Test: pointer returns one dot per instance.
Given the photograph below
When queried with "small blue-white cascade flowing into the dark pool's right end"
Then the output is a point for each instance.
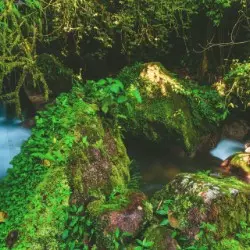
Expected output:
(226, 148)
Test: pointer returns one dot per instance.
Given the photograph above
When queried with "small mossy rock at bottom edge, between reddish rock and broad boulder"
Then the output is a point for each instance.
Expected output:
(162, 238)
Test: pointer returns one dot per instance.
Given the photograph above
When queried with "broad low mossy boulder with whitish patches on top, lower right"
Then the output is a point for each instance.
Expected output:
(199, 198)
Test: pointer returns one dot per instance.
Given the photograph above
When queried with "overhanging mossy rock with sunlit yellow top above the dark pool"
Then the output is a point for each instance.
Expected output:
(171, 107)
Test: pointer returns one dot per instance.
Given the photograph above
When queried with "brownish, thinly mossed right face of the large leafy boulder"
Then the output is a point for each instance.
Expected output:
(100, 167)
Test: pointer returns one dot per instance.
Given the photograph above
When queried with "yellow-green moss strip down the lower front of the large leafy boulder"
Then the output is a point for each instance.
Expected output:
(45, 224)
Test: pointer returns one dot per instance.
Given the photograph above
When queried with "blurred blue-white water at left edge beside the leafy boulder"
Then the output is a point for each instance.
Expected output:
(12, 135)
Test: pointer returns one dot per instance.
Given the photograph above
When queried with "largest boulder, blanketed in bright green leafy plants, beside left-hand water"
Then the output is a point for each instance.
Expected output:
(71, 156)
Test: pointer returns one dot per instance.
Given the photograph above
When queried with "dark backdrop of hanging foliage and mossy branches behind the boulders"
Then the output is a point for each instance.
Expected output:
(200, 37)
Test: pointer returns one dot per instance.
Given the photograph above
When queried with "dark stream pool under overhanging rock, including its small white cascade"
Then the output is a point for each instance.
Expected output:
(160, 163)
